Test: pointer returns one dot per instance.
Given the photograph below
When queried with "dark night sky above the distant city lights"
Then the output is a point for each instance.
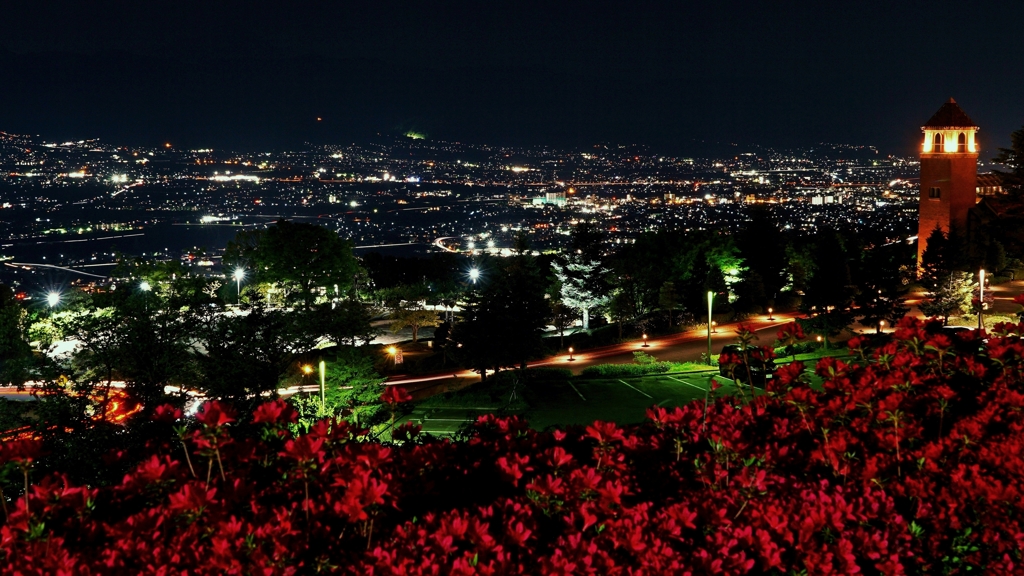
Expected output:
(257, 75)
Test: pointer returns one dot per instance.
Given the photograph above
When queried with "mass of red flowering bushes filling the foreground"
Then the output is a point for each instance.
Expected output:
(908, 462)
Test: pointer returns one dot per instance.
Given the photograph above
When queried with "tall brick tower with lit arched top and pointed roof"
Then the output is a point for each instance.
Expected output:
(949, 174)
